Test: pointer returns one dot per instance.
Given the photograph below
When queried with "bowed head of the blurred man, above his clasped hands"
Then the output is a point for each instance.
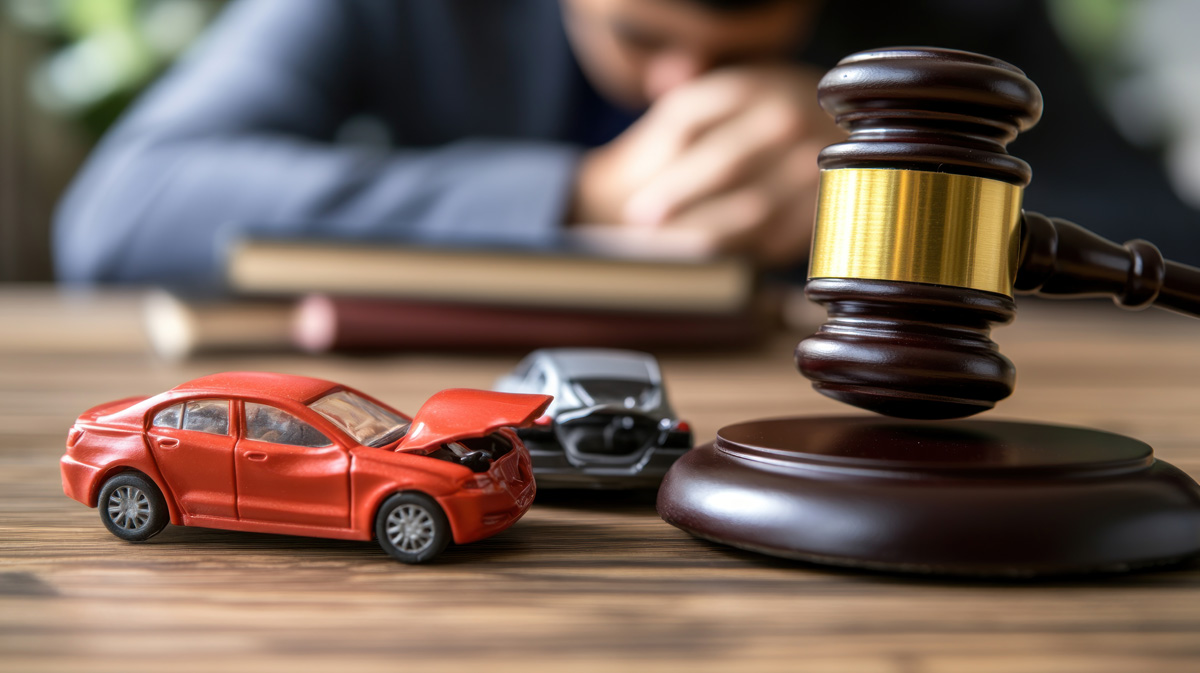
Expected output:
(635, 51)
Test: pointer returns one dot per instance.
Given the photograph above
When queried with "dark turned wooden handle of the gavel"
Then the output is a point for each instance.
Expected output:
(1061, 259)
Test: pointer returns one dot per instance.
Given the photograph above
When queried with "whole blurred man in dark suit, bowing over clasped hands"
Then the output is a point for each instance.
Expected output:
(503, 122)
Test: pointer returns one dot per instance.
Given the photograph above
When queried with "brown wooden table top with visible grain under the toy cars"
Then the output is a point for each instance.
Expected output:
(584, 582)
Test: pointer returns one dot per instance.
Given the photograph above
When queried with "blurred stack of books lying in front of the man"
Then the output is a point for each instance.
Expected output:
(335, 296)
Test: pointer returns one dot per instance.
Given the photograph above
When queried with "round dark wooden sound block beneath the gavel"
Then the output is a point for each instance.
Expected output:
(983, 498)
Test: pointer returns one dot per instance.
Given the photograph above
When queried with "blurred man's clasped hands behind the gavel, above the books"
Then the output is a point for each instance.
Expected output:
(731, 155)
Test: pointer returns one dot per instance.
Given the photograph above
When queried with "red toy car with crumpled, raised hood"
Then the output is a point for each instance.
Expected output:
(302, 456)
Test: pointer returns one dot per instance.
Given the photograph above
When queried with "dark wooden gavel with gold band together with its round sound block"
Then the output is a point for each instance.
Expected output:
(920, 245)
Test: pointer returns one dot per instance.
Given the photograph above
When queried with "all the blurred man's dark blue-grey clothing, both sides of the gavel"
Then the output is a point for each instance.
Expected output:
(487, 115)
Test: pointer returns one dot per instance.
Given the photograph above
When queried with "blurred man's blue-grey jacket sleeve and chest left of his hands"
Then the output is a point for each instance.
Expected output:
(243, 137)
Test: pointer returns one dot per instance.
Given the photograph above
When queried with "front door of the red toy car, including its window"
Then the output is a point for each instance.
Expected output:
(289, 472)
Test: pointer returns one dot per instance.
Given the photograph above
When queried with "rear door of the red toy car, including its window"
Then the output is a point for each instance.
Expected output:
(194, 446)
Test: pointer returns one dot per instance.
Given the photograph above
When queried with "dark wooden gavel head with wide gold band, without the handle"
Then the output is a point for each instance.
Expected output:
(919, 231)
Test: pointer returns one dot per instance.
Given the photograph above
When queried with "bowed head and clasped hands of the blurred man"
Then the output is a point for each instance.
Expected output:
(729, 145)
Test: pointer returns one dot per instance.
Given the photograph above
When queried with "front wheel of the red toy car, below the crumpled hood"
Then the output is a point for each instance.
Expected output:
(412, 528)
